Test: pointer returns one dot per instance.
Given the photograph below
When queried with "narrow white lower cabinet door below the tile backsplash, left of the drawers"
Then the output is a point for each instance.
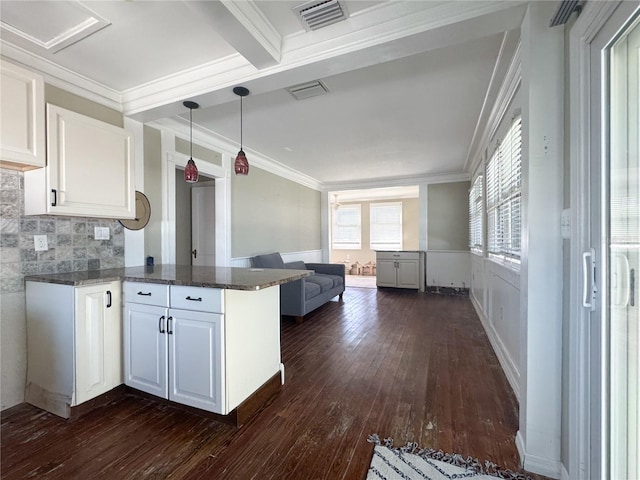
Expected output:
(98, 340)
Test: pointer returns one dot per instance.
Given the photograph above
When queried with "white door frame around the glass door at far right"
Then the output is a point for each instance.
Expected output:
(593, 19)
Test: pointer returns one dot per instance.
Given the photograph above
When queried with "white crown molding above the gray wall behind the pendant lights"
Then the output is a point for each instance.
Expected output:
(224, 145)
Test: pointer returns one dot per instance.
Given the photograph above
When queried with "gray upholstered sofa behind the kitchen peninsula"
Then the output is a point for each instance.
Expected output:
(299, 297)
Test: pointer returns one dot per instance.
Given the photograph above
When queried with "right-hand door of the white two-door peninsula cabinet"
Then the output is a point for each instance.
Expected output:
(196, 359)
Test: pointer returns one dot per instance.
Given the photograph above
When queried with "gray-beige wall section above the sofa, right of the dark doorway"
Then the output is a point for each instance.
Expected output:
(270, 213)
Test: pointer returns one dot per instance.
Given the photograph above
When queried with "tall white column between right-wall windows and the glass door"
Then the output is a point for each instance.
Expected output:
(538, 438)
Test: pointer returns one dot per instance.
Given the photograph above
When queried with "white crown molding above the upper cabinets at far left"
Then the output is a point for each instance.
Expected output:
(62, 77)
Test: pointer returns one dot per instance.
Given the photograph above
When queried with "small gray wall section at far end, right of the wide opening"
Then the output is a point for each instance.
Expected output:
(448, 216)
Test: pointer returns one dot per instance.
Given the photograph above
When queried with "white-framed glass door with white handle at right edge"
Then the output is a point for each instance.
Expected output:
(613, 261)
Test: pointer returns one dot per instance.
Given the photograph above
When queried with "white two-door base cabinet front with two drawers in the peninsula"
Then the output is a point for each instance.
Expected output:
(175, 354)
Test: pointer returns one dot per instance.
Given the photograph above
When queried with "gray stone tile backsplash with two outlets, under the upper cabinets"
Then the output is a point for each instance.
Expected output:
(72, 246)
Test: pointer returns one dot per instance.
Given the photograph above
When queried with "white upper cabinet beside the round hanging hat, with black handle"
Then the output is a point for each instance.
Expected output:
(89, 171)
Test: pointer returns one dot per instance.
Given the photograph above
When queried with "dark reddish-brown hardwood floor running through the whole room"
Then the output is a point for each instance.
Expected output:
(402, 364)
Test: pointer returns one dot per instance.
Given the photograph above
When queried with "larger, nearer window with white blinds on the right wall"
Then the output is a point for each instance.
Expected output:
(504, 192)
